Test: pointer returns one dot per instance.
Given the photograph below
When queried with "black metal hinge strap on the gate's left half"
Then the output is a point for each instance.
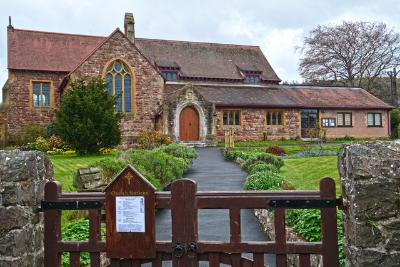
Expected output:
(70, 205)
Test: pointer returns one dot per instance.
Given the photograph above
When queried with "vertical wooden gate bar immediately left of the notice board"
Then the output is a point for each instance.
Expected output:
(94, 235)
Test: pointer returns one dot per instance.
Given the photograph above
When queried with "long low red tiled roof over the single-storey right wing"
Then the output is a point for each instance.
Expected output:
(282, 96)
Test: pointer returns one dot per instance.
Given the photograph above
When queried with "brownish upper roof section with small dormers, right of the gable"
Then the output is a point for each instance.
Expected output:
(208, 60)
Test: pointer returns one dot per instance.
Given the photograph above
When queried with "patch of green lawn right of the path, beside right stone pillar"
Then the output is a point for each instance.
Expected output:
(305, 173)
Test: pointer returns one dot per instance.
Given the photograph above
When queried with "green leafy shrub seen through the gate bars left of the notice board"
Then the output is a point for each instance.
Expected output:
(79, 231)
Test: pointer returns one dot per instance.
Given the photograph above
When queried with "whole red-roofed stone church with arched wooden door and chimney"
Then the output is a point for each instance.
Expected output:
(193, 91)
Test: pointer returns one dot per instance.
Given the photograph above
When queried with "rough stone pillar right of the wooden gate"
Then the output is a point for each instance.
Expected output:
(370, 183)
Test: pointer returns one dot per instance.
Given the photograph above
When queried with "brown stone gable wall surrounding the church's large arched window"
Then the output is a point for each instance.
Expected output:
(149, 86)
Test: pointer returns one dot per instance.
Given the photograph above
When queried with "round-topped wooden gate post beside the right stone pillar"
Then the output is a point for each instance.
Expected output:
(330, 249)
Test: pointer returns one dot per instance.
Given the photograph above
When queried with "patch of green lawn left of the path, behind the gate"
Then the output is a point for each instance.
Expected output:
(65, 167)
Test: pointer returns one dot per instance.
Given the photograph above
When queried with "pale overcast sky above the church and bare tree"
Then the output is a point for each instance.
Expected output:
(277, 26)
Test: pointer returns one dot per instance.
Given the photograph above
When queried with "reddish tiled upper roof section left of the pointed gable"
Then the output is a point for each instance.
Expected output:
(48, 51)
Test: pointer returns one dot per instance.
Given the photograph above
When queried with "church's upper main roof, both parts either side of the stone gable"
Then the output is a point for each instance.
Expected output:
(49, 51)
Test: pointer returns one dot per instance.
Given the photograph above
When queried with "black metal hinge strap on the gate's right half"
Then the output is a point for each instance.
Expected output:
(304, 203)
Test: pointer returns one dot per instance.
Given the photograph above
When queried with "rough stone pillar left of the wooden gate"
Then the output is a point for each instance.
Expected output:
(23, 175)
